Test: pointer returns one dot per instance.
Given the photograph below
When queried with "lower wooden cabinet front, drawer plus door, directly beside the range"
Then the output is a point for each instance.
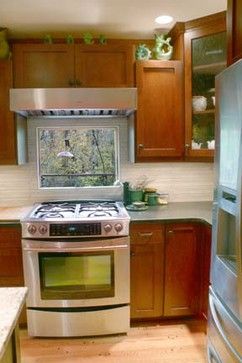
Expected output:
(147, 260)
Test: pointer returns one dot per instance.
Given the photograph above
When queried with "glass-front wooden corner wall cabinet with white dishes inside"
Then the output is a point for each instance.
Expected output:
(205, 57)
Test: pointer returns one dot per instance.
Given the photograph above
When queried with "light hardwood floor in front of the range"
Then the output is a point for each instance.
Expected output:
(180, 342)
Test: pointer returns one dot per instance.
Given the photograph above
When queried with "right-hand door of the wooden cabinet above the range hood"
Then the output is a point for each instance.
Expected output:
(104, 65)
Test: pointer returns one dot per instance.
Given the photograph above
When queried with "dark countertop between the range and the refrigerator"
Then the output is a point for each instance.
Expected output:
(197, 211)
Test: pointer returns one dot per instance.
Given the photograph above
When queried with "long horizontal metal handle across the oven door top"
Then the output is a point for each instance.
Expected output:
(76, 249)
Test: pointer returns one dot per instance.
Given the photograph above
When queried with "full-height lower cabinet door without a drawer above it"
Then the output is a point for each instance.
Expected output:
(182, 270)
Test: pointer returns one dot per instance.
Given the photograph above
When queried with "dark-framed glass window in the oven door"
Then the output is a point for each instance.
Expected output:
(88, 275)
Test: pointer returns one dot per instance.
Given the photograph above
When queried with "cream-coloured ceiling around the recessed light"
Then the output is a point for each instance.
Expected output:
(113, 18)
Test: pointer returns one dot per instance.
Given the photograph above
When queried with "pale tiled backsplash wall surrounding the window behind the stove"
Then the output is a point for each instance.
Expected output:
(183, 181)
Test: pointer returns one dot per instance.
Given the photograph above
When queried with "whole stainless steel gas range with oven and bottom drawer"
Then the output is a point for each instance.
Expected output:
(76, 266)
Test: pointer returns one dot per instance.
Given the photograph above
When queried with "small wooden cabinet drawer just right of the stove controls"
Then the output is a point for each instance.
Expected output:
(146, 233)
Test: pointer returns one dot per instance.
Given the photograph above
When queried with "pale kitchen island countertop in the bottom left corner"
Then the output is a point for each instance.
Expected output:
(11, 302)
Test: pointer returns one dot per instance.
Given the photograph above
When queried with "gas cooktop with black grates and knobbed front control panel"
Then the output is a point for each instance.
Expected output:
(76, 219)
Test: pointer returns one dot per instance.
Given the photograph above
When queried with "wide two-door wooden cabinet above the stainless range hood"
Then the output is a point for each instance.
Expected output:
(72, 65)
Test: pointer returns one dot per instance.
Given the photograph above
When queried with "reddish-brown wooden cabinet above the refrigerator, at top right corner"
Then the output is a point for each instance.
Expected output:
(234, 30)
